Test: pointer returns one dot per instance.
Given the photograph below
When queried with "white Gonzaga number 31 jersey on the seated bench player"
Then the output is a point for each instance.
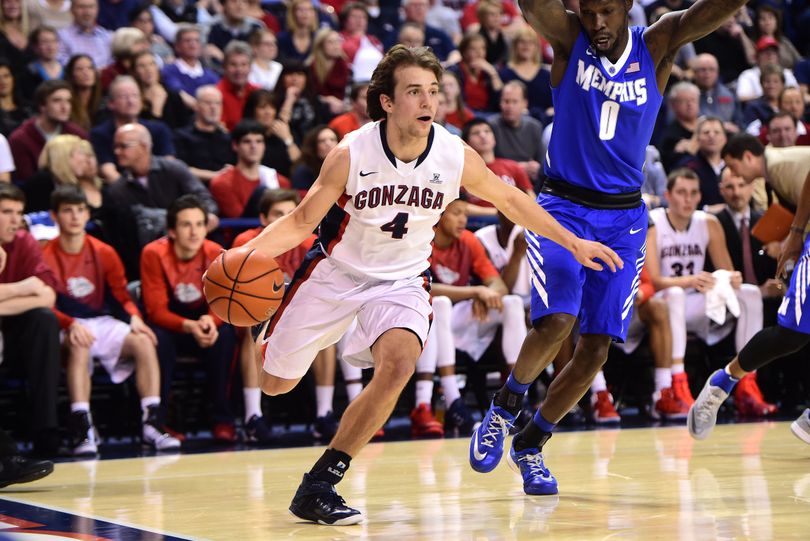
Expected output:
(681, 253)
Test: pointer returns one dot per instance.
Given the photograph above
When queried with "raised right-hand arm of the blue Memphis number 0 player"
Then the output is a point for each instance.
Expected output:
(678, 28)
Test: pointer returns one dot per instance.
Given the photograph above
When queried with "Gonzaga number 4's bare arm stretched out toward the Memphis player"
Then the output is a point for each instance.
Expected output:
(521, 209)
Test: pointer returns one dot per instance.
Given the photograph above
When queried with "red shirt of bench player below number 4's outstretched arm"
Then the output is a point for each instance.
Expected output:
(457, 264)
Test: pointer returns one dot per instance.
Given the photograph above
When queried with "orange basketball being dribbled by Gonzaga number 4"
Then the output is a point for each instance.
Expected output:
(243, 286)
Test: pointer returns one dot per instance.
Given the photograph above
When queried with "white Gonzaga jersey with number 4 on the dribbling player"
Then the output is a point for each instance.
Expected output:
(382, 225)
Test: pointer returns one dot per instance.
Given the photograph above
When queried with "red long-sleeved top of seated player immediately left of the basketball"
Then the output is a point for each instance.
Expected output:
(170, 284)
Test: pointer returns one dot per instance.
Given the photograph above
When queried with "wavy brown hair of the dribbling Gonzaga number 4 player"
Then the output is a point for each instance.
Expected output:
(383, 81)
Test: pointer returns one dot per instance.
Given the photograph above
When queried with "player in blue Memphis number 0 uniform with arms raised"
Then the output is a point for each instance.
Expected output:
(607, 80)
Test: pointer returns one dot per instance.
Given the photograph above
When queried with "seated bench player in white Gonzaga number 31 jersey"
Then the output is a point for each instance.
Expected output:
(678, 241)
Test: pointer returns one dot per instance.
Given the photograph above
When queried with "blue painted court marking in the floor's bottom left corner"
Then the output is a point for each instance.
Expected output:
(23, 521)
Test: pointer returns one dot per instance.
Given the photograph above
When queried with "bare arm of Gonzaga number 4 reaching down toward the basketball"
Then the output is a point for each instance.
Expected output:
(288, 232)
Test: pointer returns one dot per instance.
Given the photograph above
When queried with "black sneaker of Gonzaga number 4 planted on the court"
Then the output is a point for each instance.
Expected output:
(318, 502)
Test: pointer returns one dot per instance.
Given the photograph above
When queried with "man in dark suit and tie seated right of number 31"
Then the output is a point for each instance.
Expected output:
(756, 262)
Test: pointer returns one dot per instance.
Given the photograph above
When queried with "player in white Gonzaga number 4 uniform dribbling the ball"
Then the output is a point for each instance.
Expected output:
(379, 193)
